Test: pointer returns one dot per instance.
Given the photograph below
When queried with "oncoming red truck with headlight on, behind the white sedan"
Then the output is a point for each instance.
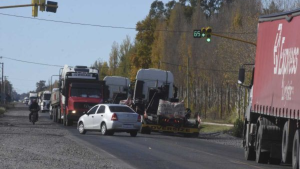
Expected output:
(79, 90)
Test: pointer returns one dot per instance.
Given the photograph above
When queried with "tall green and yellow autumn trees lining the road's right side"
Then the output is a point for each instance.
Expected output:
(164, 40)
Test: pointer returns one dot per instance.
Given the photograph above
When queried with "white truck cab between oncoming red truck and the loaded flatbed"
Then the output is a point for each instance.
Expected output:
(117, 88)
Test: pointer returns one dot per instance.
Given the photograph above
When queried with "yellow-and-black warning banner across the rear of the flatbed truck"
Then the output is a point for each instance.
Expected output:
(171, 129)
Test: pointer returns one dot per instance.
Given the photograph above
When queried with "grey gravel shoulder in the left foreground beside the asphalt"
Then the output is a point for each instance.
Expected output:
(46, 145)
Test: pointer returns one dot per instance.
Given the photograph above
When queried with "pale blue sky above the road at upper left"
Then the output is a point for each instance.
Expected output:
(59, 44)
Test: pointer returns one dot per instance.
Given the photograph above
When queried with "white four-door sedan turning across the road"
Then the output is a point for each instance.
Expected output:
(110, 118)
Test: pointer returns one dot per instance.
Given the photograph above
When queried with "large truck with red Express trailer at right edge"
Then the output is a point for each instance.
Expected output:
(271, 130)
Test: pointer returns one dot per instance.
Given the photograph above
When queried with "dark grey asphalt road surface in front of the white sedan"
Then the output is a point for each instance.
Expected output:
(167, 151)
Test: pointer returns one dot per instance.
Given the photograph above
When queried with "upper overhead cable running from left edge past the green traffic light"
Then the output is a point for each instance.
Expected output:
(109, 26)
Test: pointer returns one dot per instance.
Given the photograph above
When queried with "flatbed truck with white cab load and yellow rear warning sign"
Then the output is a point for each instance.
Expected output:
(153, 98)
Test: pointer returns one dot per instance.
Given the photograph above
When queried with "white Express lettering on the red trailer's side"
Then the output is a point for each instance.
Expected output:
(285, 63)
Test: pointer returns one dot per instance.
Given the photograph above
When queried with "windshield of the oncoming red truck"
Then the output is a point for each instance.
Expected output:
(79, 92)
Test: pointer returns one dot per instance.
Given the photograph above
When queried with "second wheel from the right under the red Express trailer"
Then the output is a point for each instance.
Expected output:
(287, 142)
